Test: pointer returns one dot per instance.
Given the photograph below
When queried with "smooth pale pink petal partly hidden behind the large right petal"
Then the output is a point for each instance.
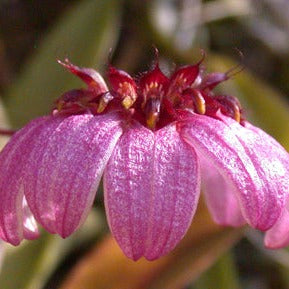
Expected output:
(221, 201)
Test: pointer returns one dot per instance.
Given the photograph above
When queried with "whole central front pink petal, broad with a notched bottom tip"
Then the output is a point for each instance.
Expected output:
(151, 191)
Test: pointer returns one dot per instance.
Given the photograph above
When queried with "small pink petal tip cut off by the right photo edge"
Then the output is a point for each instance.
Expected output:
(278, 236)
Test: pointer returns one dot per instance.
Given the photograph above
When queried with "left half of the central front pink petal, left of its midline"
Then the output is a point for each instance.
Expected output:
(127, 186)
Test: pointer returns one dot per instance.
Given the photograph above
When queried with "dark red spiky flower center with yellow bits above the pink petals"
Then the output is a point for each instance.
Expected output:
(154, 99)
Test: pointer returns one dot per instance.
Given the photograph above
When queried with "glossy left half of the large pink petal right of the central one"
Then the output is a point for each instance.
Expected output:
(216, 142)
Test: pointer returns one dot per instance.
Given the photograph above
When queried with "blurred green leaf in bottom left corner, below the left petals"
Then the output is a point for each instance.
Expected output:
(33, 262)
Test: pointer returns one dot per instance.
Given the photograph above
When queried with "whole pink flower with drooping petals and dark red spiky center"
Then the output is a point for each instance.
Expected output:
(153, 138)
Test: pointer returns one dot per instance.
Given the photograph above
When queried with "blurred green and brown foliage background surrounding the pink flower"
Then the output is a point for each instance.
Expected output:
(34, 34)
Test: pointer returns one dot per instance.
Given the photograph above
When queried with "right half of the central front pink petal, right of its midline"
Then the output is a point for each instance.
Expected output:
(175, 192)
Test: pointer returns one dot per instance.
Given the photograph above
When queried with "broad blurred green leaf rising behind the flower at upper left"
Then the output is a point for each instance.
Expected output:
(84, 34)
